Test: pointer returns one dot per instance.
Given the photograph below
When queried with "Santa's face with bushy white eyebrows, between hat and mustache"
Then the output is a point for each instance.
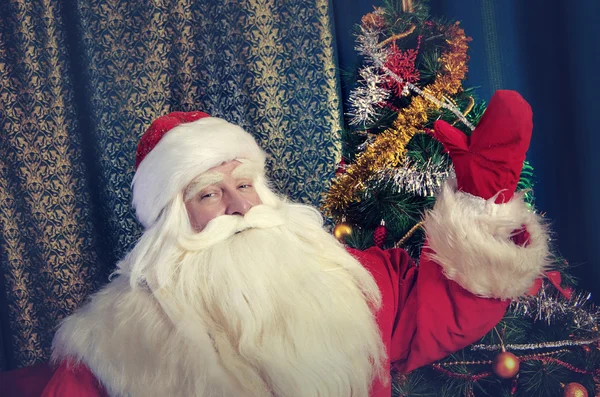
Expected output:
(226, 189)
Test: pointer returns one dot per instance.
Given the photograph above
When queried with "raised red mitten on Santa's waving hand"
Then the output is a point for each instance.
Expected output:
(490, 160)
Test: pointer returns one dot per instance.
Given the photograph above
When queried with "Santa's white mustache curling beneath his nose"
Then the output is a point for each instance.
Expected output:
(225, 226)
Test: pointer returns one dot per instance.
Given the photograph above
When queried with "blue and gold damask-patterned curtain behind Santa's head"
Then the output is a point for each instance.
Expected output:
(79, 84)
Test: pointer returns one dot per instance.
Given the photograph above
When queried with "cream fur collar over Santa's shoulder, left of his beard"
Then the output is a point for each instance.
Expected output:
(123, 336)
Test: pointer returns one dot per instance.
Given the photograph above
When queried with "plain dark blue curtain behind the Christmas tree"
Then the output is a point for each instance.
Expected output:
(549, 52)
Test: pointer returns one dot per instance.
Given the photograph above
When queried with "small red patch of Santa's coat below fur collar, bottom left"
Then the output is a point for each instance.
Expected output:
(73, 381)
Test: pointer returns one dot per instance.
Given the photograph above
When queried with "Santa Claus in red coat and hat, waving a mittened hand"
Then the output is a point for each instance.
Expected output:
(235, 291)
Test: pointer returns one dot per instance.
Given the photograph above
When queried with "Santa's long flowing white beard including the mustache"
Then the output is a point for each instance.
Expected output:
(288, 310)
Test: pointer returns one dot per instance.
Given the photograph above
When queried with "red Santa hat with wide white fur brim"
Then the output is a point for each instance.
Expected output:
(178, 147)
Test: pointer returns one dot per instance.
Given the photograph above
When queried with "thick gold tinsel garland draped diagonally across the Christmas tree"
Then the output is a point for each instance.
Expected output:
(389, 148)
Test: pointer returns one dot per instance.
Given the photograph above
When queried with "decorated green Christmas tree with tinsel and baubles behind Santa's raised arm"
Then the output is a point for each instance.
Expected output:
(411, 74)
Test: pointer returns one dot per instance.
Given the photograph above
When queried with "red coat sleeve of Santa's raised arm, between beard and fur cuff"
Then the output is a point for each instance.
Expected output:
(425, 316)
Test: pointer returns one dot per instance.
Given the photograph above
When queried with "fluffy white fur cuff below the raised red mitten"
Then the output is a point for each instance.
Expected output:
(471, 240)
